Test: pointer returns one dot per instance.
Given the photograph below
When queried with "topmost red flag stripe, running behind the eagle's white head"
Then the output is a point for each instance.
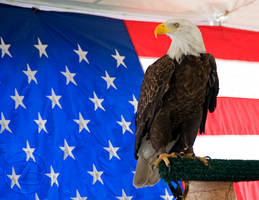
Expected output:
(222, 42)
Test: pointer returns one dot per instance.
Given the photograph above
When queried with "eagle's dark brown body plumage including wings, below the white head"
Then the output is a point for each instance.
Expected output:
(172, 100)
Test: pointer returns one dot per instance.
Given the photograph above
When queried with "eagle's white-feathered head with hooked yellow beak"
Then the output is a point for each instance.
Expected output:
(186, 38)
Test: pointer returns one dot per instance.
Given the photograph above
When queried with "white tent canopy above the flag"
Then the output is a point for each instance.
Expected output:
(241, 14)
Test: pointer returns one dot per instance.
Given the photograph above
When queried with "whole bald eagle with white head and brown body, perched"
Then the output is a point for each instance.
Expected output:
(176, 93)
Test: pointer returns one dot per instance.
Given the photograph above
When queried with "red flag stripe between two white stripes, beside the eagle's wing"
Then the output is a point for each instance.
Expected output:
(234, 116)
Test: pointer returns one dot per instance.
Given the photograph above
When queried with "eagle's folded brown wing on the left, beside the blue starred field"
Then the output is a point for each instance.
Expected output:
(155, 84)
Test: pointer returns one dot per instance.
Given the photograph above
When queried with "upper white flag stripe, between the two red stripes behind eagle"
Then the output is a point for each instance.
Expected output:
(237, 78)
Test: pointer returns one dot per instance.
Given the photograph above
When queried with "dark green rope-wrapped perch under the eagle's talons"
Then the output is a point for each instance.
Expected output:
(185, 169)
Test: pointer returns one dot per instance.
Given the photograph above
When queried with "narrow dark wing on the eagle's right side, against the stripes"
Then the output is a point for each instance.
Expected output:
(212, 91)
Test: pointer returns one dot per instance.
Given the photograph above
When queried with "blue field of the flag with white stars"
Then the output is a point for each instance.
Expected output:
(69, 85)
